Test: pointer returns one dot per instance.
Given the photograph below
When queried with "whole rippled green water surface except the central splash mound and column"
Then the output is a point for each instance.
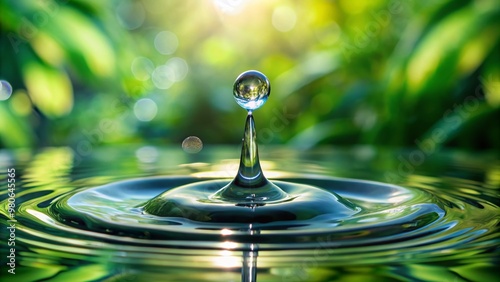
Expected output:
(441, 224)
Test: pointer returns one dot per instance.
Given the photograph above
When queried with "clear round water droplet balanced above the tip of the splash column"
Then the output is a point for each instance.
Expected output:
(251, 90)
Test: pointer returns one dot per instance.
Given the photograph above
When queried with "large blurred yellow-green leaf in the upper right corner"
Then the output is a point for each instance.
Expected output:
(453, 48)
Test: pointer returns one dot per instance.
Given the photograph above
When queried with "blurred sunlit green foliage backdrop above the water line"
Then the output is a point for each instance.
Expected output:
(383, 72)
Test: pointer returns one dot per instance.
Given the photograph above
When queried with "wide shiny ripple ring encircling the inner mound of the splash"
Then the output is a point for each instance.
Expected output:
(382, 215)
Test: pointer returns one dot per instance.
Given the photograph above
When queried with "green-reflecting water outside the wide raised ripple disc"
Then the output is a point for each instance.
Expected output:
(466, 183)
